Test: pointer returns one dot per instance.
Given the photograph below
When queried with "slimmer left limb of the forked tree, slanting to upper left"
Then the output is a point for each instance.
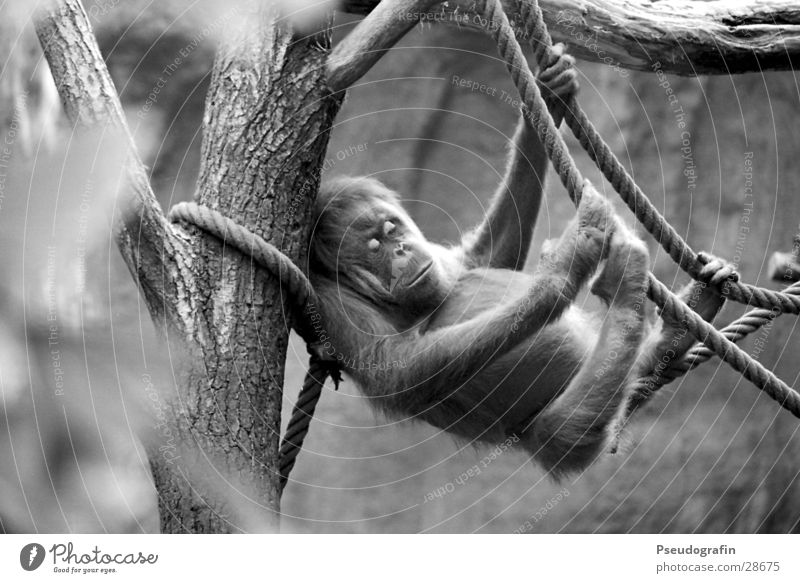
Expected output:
(91, 102)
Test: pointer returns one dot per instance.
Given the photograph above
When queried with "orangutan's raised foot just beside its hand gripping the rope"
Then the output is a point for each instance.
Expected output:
(623, 281)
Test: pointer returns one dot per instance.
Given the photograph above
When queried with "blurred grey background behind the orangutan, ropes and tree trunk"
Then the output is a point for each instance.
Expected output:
(80, 363)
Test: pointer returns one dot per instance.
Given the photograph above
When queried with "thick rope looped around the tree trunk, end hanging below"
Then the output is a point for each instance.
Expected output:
(301, 294)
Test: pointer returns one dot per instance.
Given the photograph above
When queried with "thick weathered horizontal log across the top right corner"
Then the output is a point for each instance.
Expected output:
(686, 37)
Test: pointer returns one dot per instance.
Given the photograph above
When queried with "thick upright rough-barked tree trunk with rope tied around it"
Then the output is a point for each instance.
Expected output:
(262, 170)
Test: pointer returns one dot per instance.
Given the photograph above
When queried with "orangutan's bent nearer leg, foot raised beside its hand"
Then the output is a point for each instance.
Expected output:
(570, 433)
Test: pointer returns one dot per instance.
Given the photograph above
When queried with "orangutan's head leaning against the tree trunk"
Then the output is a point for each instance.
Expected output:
(365, 239)
